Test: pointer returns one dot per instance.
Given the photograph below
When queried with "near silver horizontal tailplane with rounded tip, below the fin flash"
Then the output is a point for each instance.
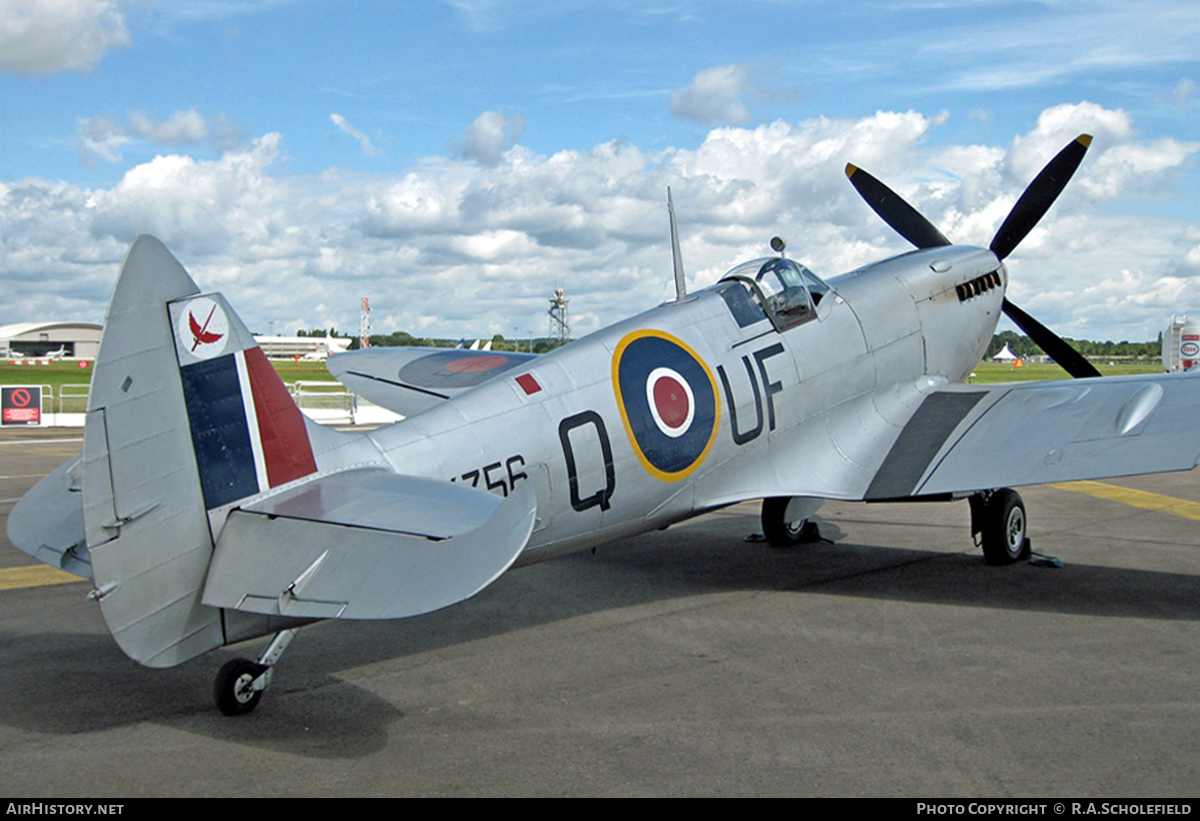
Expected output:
(367, 544)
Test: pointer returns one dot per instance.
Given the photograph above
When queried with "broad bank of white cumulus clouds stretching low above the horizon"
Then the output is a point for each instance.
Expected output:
(454, 247)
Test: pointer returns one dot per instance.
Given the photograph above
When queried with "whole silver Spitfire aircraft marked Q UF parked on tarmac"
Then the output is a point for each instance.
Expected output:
(208, 511)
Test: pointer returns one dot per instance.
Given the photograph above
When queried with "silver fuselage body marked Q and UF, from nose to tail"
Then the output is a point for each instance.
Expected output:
(673, 412)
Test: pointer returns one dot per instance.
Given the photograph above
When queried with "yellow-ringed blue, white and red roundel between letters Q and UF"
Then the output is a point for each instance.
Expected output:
(668, 400)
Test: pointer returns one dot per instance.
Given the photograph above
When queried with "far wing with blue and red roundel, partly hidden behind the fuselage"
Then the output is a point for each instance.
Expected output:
(409, 381)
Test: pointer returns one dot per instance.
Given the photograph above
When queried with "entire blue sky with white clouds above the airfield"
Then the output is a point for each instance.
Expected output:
(458, 161)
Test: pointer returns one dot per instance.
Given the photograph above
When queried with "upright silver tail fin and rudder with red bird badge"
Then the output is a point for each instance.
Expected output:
(185, 417)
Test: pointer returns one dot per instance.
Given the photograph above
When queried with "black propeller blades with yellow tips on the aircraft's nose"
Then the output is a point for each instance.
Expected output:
(1033, 206)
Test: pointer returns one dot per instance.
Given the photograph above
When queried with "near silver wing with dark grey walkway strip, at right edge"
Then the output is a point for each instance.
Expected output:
(965, 439)
